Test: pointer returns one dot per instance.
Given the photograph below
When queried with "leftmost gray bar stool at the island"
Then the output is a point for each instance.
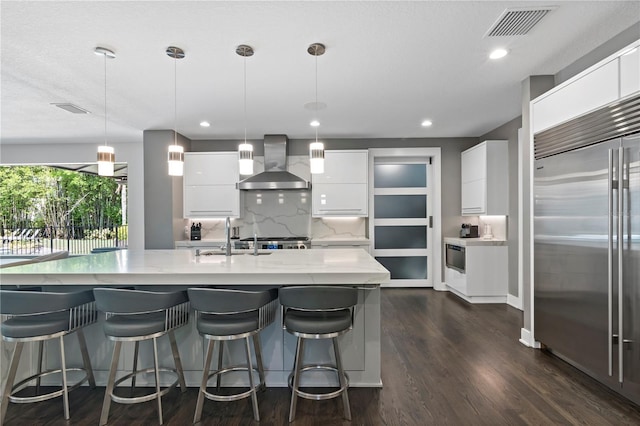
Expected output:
(35, 316)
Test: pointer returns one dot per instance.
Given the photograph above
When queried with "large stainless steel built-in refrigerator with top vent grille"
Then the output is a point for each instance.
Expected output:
(587, 244)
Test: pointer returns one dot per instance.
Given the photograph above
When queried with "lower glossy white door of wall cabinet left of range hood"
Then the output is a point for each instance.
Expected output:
(204, 201)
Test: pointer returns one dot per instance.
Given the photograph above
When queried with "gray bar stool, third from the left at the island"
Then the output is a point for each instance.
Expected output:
(222, 315)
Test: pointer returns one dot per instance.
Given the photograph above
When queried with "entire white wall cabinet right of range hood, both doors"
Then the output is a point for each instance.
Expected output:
(342, 189)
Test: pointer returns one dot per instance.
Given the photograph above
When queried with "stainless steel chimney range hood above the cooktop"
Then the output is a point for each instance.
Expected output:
(275, 175)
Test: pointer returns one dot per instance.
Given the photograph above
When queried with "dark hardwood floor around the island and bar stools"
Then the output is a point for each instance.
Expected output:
(444, 362)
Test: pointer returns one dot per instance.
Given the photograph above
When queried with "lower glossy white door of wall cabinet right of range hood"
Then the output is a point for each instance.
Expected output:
(346, 199)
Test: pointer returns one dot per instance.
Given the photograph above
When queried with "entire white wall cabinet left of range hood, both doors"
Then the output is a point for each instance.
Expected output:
(210, 185)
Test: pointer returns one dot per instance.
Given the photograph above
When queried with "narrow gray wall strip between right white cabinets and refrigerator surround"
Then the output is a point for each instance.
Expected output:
(509, 131)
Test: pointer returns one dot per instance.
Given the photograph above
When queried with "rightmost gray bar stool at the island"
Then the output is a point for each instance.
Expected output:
(318, 312)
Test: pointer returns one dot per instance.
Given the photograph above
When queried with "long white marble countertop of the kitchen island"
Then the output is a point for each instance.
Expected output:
(156, 267)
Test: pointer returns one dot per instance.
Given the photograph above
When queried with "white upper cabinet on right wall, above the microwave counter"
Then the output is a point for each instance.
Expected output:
(485, 179)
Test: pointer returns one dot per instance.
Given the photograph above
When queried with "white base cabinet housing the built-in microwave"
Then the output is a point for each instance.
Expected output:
(485, 279)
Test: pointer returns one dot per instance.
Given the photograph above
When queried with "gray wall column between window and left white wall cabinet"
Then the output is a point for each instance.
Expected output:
(162, 193)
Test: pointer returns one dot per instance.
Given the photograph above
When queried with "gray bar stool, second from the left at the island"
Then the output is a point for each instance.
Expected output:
(134, 316)
